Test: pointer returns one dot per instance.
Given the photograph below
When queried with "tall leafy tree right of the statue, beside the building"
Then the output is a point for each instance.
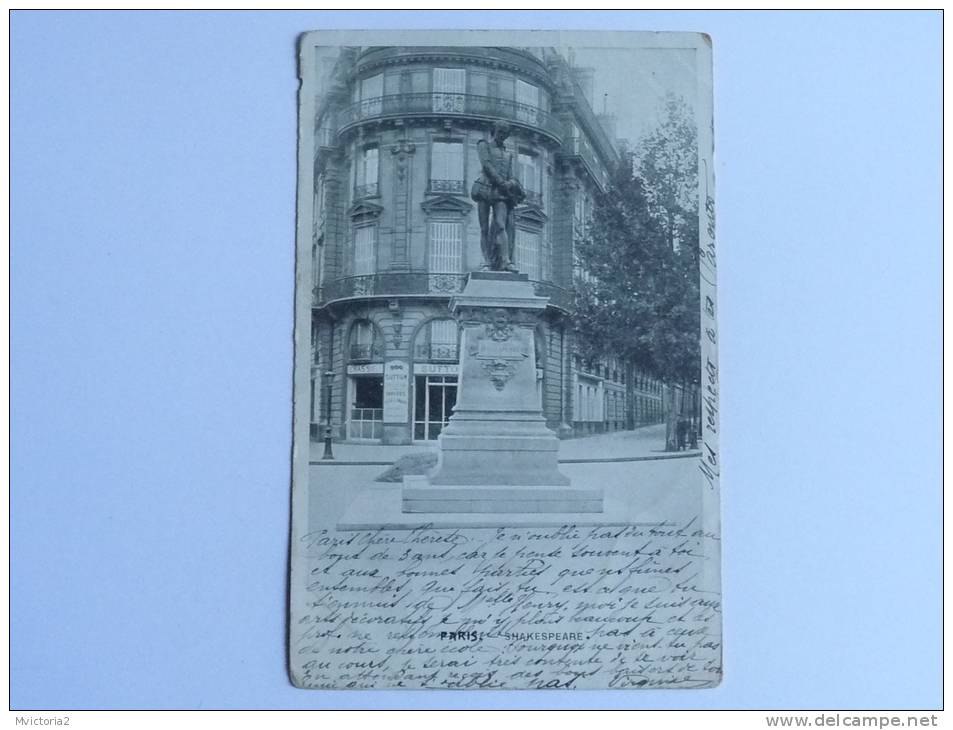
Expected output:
(637, 290)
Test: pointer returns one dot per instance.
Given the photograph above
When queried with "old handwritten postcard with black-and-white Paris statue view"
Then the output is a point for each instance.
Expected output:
(506, 461)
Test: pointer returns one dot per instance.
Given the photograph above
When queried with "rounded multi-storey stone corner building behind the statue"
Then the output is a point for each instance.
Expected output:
(395, 232)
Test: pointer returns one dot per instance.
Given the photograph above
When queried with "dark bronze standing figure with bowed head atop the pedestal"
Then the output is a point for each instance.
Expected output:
(497, 192)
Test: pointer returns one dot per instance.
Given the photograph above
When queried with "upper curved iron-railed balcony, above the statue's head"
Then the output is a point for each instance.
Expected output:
(443, 105)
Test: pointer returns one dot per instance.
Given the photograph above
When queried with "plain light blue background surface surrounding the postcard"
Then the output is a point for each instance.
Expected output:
(153, 179)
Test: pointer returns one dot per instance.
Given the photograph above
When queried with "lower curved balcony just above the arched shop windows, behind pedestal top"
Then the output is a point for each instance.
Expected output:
(421, 284)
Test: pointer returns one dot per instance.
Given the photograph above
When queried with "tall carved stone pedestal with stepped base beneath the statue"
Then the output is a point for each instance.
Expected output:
(496, 453)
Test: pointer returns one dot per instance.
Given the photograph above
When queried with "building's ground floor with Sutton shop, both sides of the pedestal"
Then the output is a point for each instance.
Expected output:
(390, 375)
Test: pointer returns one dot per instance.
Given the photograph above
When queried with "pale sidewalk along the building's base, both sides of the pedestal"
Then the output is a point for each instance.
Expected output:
(647, 442)
